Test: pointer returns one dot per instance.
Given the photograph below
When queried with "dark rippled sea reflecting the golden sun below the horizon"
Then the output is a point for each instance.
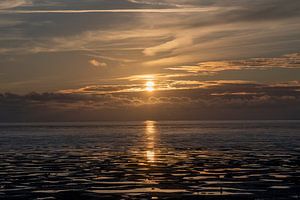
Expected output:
(150, 160)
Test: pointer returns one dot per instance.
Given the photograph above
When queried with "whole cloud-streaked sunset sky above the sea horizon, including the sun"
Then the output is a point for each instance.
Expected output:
(91, 60)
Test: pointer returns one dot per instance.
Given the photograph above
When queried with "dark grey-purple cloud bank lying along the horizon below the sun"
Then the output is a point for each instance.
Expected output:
(221, 100)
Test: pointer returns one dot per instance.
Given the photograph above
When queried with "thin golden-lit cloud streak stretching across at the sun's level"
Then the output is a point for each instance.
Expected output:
(177, 86)
